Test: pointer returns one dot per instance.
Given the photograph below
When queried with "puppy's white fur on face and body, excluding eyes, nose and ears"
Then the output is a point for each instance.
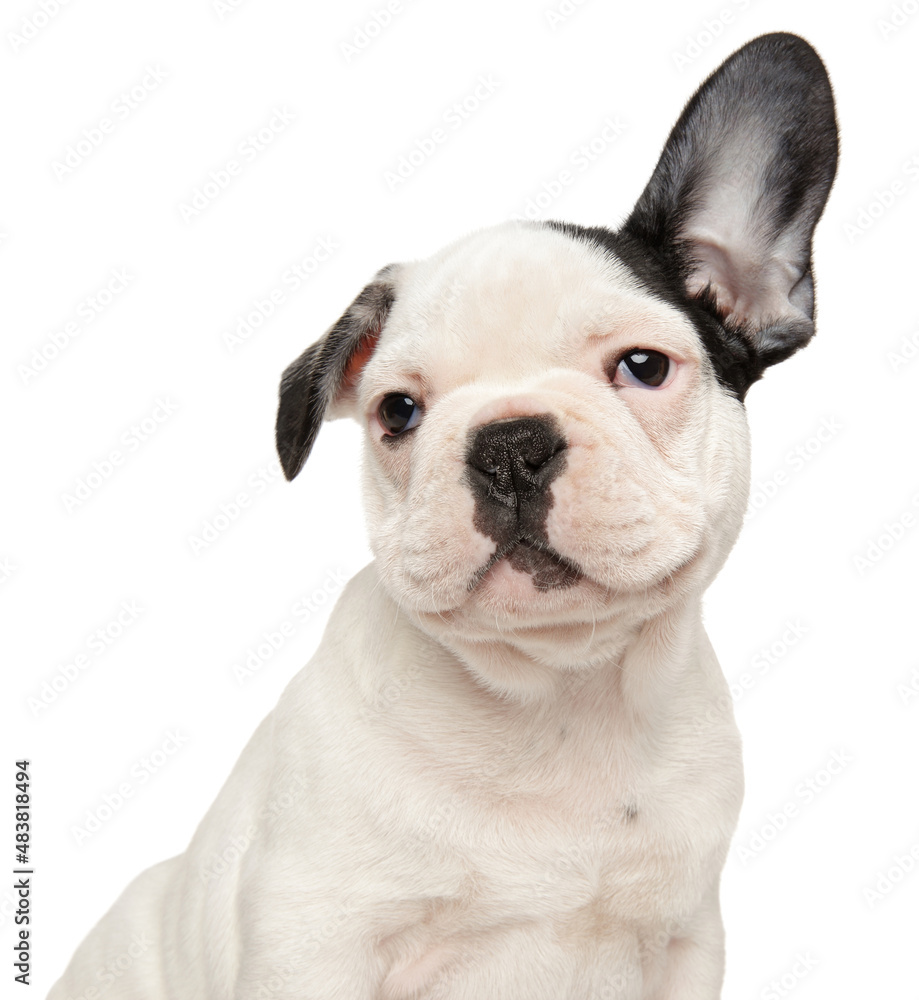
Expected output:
(495, 792)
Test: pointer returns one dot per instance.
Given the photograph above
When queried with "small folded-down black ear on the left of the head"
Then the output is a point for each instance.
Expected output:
(326, 372)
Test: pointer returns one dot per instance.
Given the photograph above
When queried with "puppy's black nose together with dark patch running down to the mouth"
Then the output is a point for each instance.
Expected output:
(510, 465)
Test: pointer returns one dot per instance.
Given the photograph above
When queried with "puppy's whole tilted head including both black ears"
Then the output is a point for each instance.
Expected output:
(556, 447)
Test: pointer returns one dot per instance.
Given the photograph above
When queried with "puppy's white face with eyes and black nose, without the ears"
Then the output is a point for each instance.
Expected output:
(538, 480)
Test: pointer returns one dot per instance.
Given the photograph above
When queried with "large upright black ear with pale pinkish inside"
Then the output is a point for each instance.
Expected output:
(738, 190)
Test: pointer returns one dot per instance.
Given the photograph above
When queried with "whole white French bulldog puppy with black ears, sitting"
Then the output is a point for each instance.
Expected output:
(511, 770)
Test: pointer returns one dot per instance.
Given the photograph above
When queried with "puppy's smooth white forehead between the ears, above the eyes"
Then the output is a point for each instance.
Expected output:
(518, 298)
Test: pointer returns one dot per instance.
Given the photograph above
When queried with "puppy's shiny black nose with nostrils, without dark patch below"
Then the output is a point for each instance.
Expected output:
(513, 461)
